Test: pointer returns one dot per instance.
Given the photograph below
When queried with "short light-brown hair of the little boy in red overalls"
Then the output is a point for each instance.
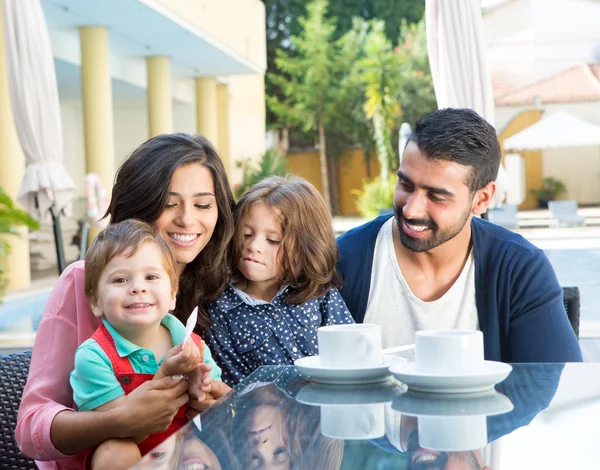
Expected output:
(123, 238)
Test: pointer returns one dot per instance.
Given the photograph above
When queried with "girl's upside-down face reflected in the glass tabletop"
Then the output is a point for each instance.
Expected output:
(266, 441)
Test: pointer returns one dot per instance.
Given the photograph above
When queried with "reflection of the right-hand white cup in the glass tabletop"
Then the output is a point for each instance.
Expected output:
(452, 433)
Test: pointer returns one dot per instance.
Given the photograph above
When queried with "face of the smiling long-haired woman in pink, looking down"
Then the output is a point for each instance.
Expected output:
(188, 221)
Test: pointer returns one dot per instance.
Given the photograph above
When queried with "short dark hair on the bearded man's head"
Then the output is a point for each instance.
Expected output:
(460, 135)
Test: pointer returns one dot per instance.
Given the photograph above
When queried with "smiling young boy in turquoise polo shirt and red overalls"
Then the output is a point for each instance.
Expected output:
(131, 283)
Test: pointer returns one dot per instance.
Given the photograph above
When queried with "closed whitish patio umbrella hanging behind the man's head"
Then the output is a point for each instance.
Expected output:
(459, 70)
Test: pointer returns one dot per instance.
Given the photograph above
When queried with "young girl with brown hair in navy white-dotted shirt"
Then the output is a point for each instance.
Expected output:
(284, 285)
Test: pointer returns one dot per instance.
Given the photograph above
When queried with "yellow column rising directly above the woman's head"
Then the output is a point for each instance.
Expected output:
(160, 106)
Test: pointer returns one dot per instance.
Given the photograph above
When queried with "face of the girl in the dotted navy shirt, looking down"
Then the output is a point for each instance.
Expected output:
(261, 248)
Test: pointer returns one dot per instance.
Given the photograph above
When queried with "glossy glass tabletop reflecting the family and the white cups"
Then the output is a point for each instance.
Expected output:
(278, 419)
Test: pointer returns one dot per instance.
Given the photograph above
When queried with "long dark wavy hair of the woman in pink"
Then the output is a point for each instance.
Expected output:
(141, 191)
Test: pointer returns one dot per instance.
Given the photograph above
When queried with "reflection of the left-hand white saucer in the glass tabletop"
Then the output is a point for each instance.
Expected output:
(317, 394)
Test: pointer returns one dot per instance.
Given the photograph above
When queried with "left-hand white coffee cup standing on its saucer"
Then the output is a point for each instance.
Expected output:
(345, 346)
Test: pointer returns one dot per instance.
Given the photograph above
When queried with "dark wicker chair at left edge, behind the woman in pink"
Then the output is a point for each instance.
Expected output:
(13, 374)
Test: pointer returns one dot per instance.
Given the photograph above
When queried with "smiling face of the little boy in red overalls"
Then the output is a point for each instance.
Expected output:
(135, 292)
